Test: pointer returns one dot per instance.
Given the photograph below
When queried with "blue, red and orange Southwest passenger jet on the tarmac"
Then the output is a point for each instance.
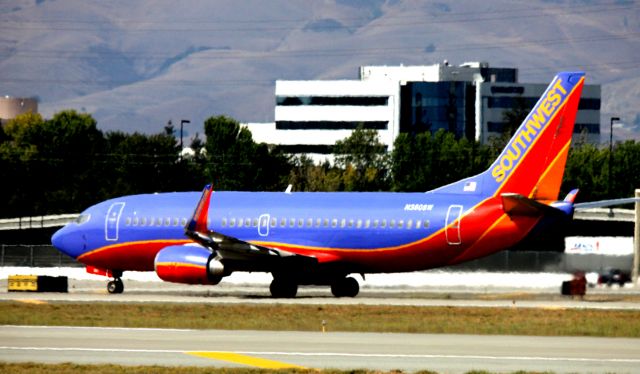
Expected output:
(315, 238)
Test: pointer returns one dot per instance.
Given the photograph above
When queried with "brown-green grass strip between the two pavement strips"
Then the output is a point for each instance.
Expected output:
(362, 318)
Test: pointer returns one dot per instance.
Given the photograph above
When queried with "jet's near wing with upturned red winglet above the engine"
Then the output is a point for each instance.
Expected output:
(256, 257)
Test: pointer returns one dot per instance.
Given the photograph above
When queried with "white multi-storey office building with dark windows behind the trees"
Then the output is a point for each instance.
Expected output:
(469, 100)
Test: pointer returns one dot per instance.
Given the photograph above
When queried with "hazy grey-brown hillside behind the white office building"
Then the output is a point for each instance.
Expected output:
(136, 64)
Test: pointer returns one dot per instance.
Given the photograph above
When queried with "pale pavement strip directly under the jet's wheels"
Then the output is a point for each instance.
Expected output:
(94, 291)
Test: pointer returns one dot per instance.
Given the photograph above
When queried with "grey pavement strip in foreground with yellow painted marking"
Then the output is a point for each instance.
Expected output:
(409, 352)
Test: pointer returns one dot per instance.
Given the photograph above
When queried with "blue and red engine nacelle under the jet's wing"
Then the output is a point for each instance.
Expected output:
(188, 264)
